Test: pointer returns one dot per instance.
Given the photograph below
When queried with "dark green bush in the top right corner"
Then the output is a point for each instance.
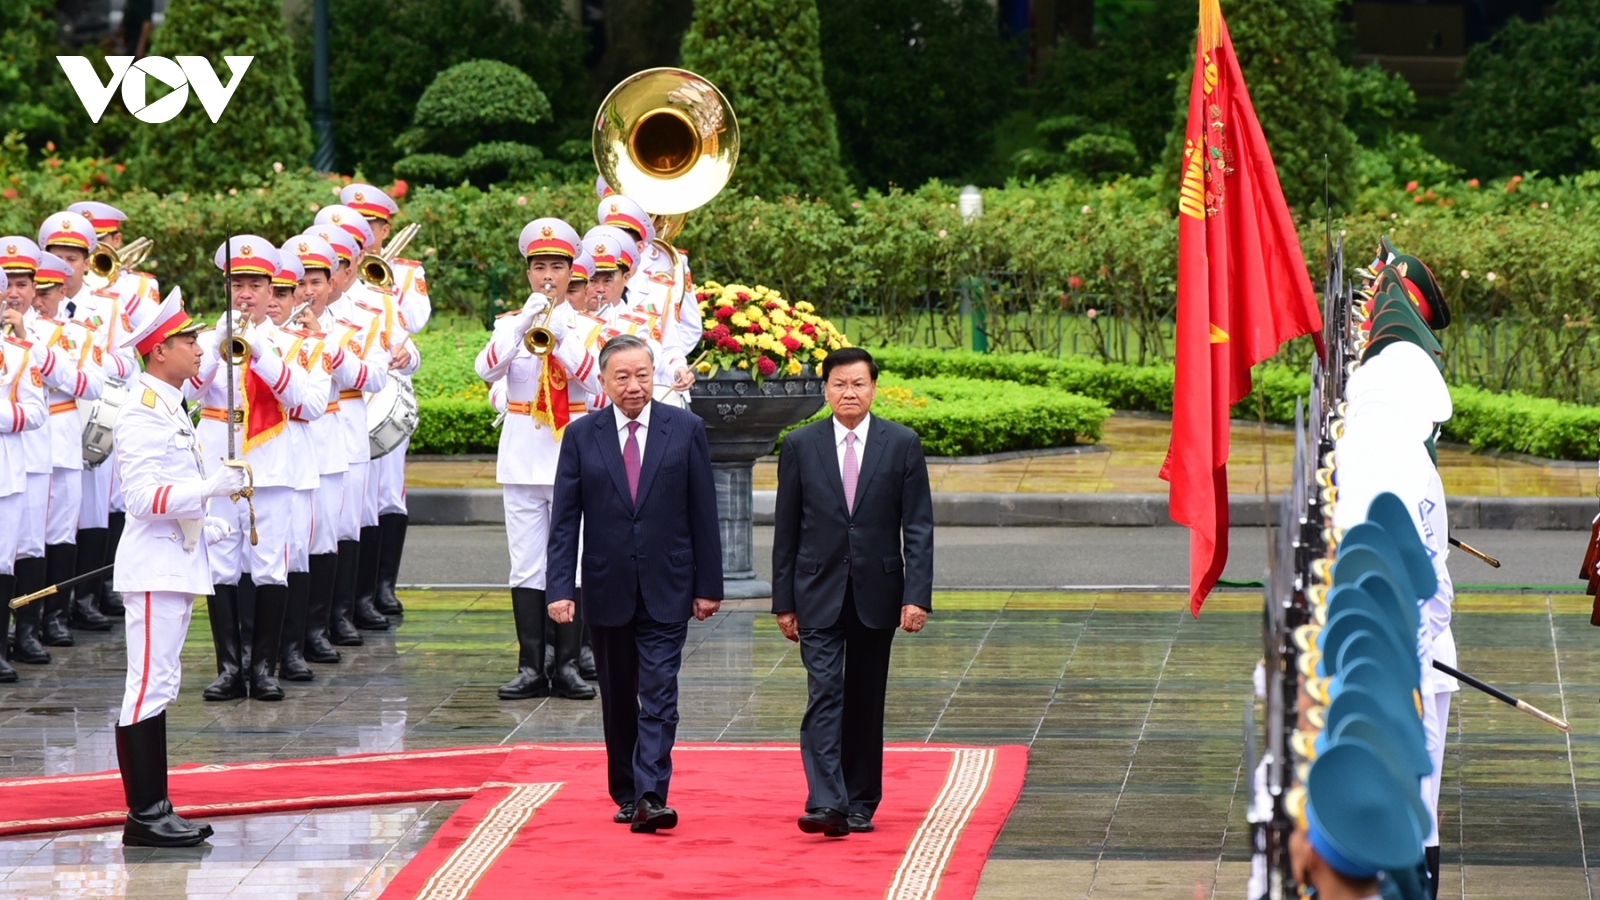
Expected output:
(1532, 97)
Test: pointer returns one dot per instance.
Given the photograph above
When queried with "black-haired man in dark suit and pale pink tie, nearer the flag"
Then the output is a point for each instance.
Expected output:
(852, 561)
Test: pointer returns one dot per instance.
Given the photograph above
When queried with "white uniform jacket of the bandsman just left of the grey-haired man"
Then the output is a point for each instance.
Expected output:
(530, 449)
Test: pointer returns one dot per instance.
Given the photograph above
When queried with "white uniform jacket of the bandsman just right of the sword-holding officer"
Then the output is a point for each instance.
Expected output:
(274, 462)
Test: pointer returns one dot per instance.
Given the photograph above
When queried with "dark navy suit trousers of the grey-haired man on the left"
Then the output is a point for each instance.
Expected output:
(639, 702)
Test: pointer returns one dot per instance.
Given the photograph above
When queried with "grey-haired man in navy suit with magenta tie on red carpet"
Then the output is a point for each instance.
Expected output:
(636, 478)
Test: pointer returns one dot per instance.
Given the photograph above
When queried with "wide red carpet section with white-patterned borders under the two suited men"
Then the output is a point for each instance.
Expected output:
(546, 819)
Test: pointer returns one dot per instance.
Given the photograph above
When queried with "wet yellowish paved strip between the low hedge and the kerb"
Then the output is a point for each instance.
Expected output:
(1129, 459)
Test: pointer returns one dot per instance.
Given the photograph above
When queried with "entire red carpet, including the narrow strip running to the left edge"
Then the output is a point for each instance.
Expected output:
(540, 816)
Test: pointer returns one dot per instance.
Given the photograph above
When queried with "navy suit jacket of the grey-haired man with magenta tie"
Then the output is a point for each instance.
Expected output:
(668, 550)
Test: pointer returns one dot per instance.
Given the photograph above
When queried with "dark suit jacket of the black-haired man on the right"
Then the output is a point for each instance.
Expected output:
(817, 544)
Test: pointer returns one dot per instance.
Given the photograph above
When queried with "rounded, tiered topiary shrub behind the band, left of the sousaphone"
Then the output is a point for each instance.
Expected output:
(478, 123)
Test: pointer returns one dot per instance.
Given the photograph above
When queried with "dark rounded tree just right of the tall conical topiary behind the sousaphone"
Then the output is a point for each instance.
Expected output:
(918, 86)
